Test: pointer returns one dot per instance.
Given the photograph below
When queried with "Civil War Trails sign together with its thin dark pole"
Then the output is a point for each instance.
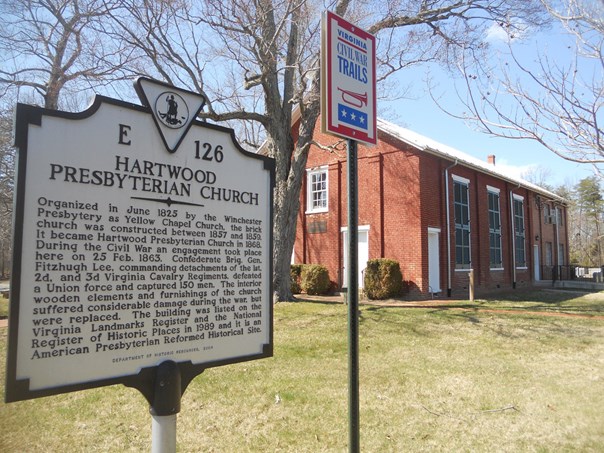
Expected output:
(349, 110)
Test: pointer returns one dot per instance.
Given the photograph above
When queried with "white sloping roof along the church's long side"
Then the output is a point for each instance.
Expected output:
(433, 147)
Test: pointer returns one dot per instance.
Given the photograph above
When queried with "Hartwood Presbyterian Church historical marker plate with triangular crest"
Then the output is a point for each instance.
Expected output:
(141, 235)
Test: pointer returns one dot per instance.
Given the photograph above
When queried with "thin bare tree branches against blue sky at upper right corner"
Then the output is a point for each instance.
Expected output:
(556, 100)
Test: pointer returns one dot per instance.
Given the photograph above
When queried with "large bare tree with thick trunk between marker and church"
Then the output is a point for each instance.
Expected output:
(258, 61)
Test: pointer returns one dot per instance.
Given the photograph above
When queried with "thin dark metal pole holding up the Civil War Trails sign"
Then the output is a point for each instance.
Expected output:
(353, 300)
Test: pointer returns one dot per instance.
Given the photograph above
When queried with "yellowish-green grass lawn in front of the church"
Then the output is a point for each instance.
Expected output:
(431, 379)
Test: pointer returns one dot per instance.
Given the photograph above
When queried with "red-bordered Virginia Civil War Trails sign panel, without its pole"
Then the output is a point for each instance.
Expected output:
(348, 80)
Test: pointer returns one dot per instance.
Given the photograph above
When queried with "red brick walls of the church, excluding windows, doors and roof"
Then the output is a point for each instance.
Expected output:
(401, 195)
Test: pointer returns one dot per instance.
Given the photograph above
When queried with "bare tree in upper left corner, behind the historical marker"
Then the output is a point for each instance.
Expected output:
(48, 46)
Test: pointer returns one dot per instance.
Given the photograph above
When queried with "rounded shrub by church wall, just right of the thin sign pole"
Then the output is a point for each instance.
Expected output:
(383, 279)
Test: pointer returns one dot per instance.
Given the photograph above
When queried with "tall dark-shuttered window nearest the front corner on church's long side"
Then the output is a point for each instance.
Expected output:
(462, 222)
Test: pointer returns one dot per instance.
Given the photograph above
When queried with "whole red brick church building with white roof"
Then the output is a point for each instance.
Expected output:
(437, 211)
